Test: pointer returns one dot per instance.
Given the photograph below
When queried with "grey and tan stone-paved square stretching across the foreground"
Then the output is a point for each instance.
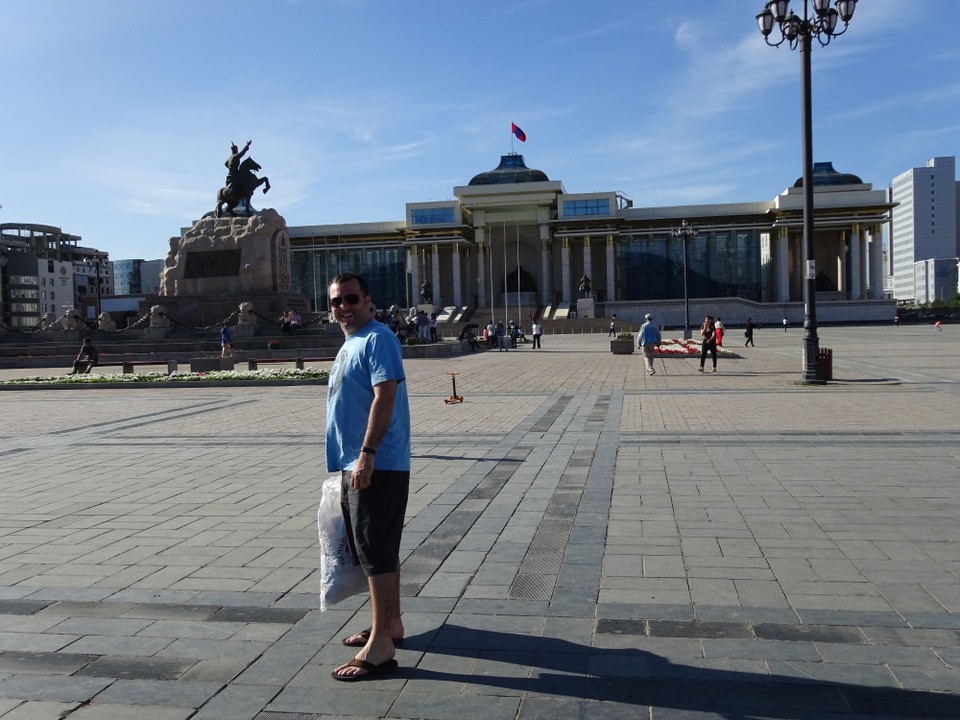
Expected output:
(582, 540)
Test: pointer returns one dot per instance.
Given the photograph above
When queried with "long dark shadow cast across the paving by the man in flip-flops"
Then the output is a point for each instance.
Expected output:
(563, 669)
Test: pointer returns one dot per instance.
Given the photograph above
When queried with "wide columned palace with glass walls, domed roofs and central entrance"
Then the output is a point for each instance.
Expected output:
(514, 244)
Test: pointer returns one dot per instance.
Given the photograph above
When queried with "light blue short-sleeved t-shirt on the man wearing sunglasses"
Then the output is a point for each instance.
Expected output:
(369, 357)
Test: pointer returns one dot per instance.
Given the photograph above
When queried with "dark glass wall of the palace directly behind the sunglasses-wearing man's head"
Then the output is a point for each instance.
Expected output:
(384, 268)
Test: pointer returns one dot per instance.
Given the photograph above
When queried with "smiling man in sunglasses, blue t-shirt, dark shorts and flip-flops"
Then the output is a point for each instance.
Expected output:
(368, 442)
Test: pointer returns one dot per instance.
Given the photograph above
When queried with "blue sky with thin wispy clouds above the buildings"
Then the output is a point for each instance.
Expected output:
(117, 114)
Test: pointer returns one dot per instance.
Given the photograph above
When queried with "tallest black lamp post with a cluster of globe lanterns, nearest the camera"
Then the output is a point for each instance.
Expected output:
(799, 32)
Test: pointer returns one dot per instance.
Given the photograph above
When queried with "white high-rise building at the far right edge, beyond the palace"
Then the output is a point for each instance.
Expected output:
(923, 228)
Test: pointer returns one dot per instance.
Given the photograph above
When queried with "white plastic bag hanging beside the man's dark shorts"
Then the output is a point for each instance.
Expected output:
(340, 576)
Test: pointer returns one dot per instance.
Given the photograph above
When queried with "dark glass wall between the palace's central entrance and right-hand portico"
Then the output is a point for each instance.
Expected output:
(720, 264)
